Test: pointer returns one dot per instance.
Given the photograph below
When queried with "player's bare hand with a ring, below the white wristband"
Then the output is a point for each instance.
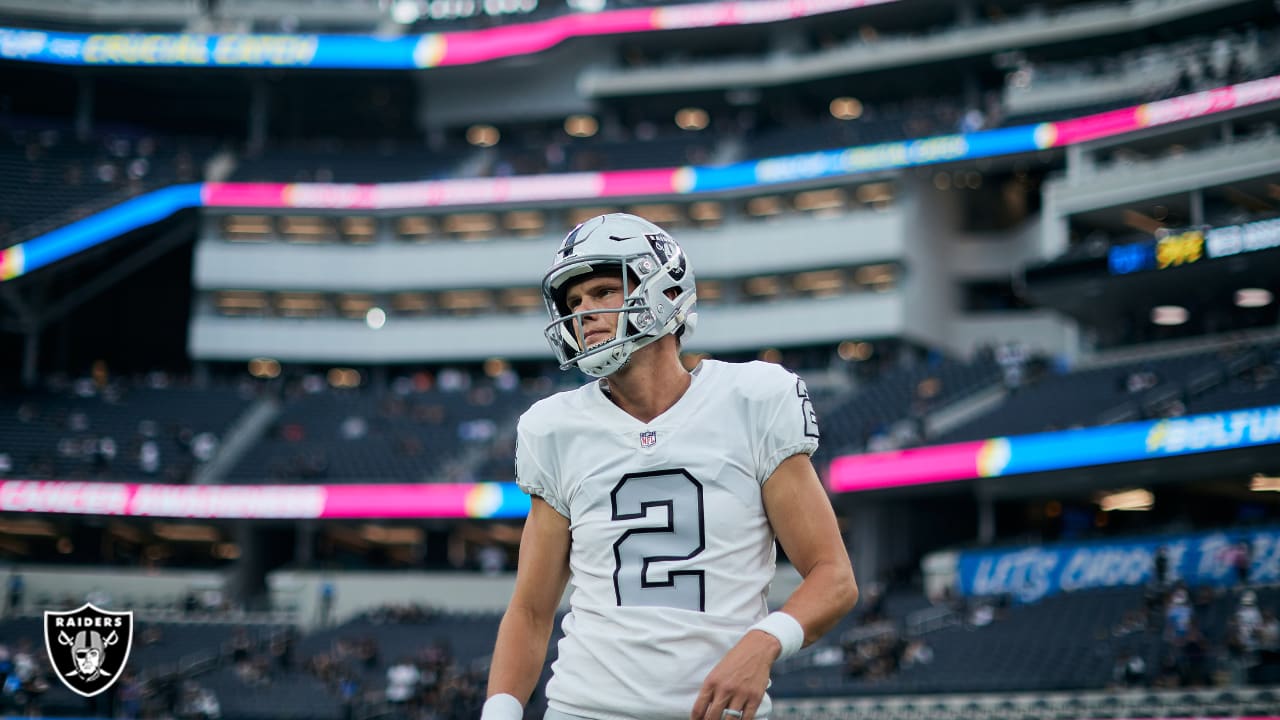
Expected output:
(739, 680)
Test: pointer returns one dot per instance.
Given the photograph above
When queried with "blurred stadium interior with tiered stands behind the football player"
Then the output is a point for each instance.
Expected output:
(271, 308)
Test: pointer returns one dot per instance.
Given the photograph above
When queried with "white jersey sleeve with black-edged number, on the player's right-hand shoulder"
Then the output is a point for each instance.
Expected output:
(788, 423)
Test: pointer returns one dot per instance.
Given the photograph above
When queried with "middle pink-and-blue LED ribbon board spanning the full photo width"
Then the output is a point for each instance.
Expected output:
(24, 258)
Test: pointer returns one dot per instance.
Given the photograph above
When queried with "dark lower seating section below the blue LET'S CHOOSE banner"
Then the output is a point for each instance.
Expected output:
(1068, 642)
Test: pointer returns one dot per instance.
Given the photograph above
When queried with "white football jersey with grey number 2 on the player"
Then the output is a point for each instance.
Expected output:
(671, 554)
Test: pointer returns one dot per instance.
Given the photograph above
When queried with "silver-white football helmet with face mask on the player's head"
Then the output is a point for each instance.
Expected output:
(657, 289)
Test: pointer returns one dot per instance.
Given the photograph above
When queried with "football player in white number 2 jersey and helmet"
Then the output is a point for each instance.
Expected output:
(659, 494)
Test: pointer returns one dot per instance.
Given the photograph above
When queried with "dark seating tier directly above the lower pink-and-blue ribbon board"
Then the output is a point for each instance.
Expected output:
(381, 435)
